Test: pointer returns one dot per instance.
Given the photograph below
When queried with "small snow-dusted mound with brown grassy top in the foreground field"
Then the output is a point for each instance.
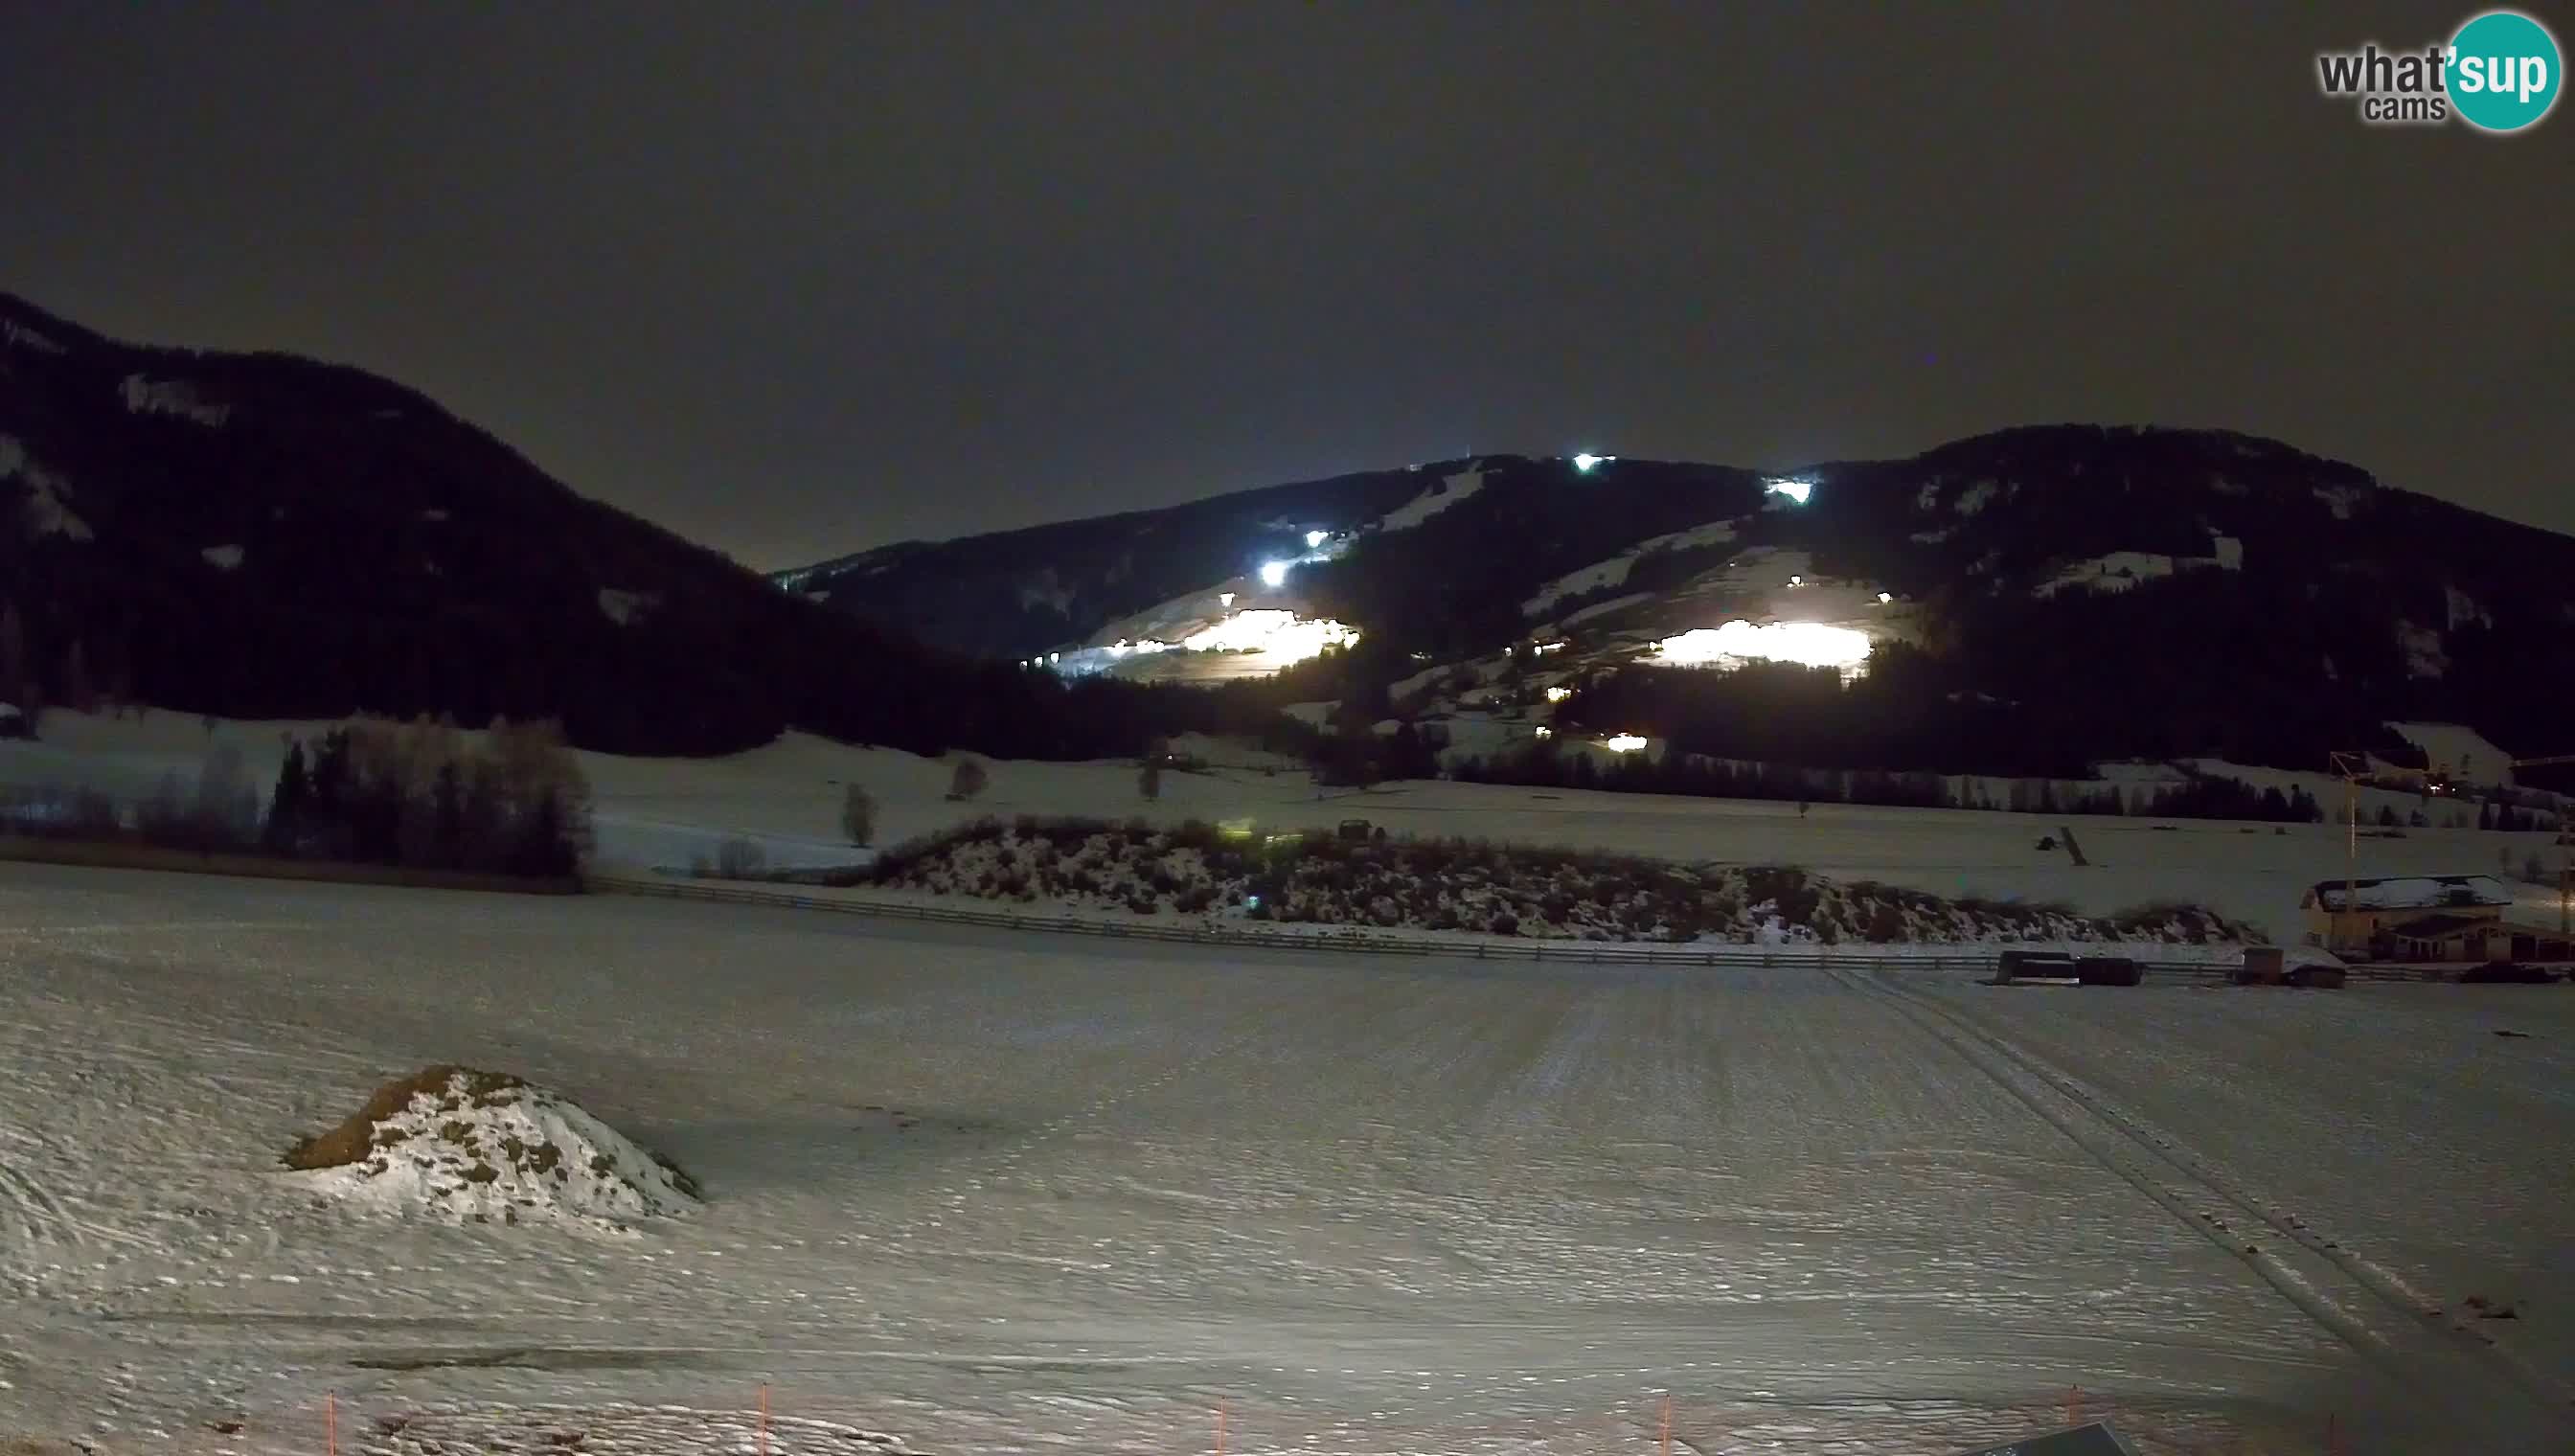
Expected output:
(483, 1148)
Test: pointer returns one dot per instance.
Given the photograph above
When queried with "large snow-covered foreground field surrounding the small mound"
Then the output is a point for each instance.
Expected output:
(998, 1192)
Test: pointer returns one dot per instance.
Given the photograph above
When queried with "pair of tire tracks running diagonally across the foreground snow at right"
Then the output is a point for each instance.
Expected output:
(2332, 1285)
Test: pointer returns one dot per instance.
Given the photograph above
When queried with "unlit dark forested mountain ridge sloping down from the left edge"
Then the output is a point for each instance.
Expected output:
(259, 535)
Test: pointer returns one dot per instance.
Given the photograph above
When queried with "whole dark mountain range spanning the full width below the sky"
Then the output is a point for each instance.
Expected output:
(259, 535)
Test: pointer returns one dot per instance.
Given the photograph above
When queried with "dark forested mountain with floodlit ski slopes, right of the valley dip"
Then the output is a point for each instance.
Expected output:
(2087, 573)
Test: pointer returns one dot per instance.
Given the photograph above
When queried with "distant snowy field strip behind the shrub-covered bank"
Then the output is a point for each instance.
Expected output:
(787, 798)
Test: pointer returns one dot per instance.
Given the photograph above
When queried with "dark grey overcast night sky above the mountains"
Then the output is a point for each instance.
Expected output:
(841, 274)
